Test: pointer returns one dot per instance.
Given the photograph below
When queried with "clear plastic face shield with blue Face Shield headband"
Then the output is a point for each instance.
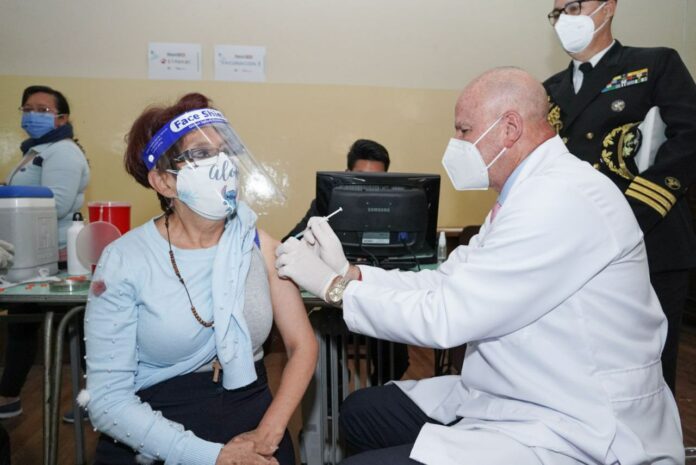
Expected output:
(201, 136)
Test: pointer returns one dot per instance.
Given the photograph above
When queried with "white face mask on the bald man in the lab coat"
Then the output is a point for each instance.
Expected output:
(464, 164)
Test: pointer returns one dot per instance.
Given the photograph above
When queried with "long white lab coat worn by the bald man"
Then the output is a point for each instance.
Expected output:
(564, 331)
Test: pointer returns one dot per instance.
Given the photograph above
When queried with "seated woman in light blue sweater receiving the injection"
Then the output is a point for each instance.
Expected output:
(189, 293)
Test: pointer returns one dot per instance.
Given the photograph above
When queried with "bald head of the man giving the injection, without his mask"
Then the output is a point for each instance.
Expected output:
(503, 112)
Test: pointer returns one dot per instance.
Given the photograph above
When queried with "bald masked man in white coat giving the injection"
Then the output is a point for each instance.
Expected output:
(553, 298)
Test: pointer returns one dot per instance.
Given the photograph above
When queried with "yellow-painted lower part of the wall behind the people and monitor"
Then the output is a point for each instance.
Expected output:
(294, 130)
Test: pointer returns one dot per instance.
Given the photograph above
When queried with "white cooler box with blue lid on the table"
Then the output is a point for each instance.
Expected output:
(29, 221)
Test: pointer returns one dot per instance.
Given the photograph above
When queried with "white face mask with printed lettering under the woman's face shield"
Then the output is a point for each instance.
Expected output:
(209, 186)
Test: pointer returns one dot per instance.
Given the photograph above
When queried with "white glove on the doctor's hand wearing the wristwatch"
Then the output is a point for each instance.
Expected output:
(295, 260)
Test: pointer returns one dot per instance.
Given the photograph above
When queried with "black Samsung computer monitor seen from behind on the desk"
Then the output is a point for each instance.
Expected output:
(388, 219)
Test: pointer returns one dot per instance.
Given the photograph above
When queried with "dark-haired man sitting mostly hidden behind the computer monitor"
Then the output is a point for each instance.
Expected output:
(366, 156)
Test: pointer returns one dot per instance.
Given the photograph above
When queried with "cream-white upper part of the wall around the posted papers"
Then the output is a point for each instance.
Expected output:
(428, 44)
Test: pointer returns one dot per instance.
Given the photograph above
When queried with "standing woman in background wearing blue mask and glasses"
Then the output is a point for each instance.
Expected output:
(51, 158)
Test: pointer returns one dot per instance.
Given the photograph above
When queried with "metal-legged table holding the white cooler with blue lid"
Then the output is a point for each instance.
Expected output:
(72, 304)
